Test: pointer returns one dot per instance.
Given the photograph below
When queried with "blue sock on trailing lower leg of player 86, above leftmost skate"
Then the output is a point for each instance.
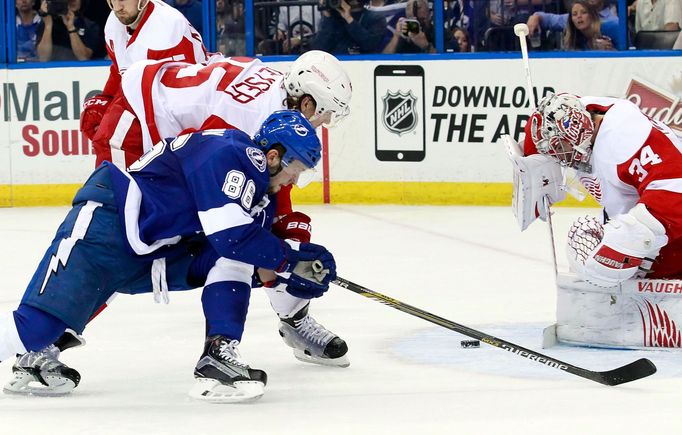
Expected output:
(37, 329)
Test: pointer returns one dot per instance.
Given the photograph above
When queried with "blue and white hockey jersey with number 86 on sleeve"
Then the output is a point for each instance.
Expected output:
(213, 182)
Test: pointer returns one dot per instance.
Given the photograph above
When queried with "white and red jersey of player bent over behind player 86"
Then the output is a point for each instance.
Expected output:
(173, 97)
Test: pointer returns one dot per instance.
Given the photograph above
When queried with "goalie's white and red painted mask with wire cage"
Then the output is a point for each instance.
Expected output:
(562, 128)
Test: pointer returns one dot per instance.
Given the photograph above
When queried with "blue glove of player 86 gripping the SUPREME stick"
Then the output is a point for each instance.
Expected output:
(305, 281)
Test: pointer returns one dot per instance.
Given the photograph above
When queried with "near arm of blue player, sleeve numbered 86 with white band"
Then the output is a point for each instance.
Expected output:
(228, 182)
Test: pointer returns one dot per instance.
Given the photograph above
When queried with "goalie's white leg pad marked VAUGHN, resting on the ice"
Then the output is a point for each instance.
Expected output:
(637, 314)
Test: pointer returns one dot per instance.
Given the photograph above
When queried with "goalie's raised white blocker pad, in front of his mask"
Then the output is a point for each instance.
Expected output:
(535, 177)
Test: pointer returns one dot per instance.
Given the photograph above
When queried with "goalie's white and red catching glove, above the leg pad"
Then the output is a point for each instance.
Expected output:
(627, 244)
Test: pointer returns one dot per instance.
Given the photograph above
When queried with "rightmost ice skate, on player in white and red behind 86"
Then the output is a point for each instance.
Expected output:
(312, 342)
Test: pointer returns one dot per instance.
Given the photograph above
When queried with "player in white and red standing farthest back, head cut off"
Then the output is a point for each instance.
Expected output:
(139, 30)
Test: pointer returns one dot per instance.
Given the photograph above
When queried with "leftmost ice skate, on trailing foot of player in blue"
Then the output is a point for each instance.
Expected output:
(42, 374)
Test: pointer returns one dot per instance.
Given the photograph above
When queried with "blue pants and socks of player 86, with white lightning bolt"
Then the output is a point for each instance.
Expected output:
(75, 276)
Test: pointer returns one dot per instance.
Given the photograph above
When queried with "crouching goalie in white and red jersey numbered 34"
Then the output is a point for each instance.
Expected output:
(631, 165)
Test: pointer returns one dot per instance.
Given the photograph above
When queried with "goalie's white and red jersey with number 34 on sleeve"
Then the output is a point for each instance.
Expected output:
(636, 159)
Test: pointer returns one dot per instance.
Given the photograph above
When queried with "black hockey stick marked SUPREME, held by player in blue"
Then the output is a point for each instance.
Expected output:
(630, 372)
